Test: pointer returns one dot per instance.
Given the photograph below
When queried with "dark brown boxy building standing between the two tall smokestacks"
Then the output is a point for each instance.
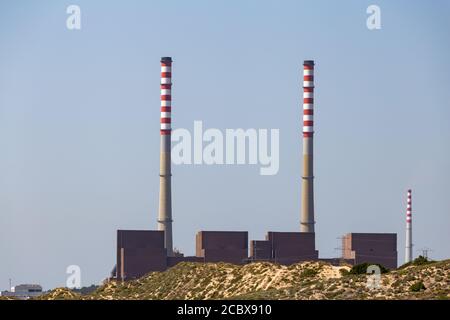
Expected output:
(222, 246)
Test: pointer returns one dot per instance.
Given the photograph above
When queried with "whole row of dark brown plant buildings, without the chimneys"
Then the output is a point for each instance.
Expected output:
(140, 252)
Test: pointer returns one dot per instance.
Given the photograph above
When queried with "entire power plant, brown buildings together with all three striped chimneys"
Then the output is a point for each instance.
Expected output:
(143, 251)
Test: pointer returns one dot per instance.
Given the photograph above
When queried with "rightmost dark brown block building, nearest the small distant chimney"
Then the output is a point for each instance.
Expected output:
(378, 248)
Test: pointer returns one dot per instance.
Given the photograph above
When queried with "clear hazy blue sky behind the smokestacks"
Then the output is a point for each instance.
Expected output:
(79, 123)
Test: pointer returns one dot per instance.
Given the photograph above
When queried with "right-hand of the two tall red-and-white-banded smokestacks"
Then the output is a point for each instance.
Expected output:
(307, 214)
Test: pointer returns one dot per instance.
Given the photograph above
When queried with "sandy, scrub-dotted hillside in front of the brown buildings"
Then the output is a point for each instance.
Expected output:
(309, 280)
